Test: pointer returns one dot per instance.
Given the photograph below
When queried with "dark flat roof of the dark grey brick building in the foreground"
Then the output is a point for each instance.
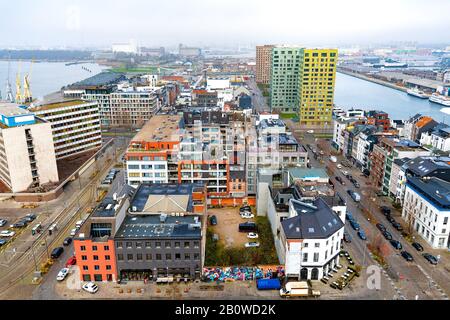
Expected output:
(160, 226)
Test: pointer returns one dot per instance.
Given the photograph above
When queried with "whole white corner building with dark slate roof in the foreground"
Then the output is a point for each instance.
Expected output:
(310, 240)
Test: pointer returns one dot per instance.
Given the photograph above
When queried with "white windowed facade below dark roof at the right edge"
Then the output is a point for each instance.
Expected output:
(429, 221)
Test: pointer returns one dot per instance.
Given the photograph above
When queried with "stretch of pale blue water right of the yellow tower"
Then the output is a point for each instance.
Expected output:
(357, 93)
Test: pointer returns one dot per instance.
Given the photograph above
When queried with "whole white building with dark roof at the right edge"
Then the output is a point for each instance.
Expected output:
(427, 210)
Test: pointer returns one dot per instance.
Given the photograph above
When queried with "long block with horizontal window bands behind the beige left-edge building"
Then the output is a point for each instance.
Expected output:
(75, 125)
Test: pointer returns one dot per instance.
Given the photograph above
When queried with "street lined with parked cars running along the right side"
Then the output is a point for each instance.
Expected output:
(417, 279)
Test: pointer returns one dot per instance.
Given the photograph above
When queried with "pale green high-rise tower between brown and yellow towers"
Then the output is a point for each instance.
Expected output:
(284, 85)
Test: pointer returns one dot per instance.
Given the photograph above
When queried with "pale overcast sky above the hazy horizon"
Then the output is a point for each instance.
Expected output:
(222, 22)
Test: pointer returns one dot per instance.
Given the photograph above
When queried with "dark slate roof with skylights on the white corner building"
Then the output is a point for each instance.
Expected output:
(315, 221)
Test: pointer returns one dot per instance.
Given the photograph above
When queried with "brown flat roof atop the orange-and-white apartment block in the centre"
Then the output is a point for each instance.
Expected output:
(159, 128)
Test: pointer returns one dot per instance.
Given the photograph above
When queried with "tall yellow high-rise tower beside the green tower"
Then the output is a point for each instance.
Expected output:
(316, 80)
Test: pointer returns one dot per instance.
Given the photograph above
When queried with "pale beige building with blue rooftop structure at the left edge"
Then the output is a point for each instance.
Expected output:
(27, 154)
